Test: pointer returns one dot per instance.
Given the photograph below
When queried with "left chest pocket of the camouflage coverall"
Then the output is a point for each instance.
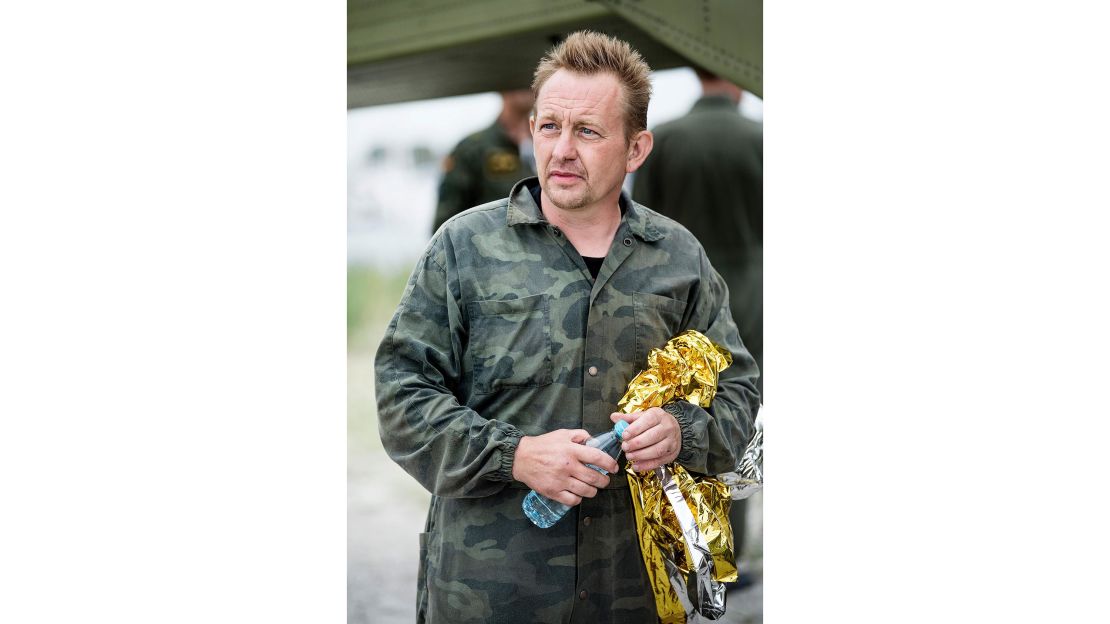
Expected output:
(511, 344)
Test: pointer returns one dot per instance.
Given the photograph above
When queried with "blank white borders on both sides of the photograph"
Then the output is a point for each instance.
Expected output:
(173, 257)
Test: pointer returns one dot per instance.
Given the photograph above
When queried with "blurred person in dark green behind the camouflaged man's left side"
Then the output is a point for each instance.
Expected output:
(485, 166)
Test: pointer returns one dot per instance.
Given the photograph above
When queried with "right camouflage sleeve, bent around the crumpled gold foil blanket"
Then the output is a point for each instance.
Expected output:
(714, 439)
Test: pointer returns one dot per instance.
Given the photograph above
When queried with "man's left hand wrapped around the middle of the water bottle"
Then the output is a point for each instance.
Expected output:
(554, 465)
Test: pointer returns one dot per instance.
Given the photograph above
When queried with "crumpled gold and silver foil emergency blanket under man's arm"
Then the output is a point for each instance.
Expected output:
(682, 520)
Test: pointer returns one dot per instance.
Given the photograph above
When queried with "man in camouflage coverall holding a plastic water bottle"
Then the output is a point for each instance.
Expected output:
(518, 335)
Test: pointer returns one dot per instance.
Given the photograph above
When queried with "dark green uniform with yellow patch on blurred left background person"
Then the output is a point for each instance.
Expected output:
(482, 168)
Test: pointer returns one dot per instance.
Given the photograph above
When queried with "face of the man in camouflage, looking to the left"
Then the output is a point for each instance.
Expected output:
(582, 154)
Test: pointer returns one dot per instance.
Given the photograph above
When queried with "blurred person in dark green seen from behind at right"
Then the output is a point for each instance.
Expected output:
(707, 173)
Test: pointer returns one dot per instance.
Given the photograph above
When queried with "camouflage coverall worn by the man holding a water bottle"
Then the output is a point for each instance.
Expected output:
(502, 333)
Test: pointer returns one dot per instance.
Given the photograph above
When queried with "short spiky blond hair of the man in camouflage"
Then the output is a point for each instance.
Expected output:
(589, 53)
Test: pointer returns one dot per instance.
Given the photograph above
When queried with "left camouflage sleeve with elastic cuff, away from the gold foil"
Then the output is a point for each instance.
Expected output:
(450, 449)
